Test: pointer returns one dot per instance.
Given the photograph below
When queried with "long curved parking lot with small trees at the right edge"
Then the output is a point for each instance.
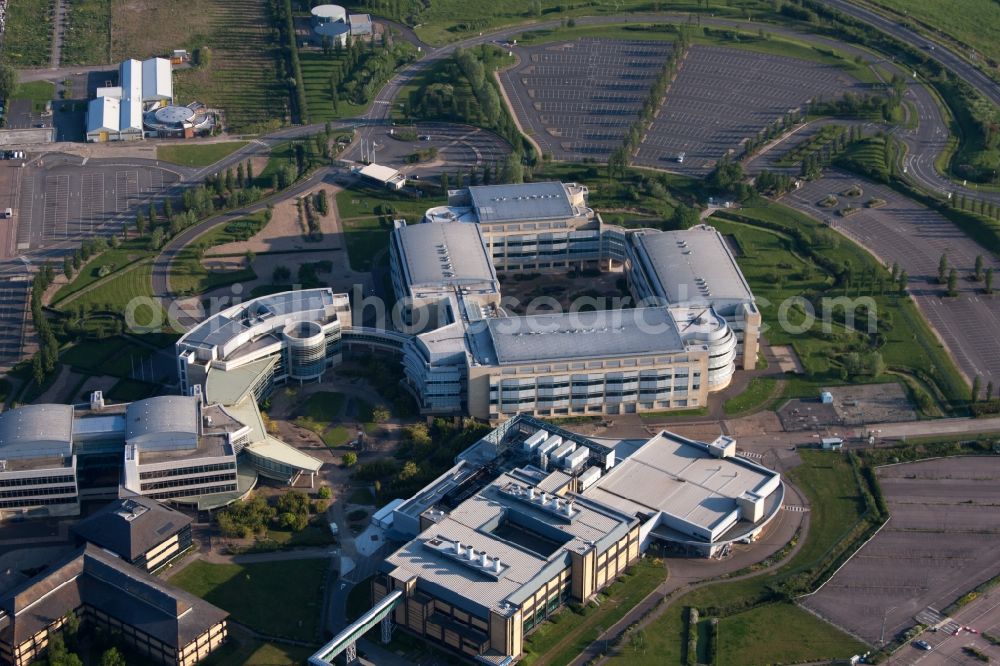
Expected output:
(914, 236)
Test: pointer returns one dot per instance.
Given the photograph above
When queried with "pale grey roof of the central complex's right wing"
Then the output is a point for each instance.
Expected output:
(693, 266)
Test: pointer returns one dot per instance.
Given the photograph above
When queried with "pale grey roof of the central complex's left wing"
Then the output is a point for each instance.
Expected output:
(445, 253)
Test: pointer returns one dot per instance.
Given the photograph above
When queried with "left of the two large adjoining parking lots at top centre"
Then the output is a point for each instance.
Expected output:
(578, 99)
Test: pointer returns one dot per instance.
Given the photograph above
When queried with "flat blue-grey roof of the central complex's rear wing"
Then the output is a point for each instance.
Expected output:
(524, 201)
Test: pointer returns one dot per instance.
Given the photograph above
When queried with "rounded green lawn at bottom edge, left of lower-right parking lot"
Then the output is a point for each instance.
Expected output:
(781, 633)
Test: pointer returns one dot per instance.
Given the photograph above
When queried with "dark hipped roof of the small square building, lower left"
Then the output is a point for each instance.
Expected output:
(132, 526)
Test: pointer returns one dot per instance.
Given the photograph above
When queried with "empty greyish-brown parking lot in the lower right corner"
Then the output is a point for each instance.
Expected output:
(939, 543)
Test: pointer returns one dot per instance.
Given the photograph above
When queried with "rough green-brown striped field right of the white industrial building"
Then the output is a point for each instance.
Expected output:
(242, 76)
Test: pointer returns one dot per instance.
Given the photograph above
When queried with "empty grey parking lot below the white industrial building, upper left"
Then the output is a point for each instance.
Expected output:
(62, 199)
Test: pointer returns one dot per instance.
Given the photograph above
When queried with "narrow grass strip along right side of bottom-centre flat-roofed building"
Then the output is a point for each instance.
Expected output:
(584, 628)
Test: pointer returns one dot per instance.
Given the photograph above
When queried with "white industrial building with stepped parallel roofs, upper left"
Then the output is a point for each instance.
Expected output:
(142, 87)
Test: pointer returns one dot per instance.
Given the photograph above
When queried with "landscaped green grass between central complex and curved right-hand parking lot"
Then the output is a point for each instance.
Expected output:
(778, 268)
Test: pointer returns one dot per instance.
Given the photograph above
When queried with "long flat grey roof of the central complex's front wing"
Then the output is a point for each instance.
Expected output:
(581, 335)
